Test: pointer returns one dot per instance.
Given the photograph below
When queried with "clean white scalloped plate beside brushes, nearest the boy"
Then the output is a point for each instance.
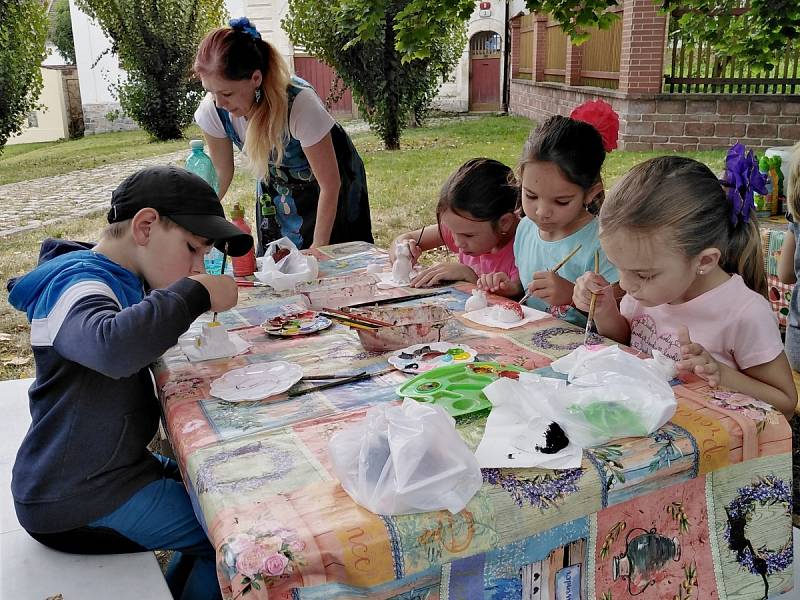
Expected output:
(256, 381)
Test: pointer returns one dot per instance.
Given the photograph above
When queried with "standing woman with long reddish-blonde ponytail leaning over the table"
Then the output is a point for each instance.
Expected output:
(311, 185)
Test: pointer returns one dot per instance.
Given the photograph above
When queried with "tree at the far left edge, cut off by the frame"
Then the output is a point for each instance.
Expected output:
(23, 29)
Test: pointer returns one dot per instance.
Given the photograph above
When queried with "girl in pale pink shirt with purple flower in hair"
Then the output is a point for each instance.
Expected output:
(688, 252)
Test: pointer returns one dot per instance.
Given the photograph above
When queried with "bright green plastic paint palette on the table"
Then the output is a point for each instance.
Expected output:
(458, 389)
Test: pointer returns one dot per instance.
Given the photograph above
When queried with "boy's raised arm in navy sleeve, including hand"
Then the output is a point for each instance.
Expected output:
(117, 343)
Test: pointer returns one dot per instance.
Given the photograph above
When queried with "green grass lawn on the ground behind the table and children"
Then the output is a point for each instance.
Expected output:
(403, 187)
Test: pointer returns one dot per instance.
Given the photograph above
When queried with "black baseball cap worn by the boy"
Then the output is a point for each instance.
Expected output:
(185, 198)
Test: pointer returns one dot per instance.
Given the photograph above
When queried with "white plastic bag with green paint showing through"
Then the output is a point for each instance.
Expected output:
(612, 394)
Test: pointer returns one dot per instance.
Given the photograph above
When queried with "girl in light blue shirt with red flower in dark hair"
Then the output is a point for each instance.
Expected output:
(561, 189)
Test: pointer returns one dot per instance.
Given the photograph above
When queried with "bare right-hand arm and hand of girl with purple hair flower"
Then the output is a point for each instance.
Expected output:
(770, 382)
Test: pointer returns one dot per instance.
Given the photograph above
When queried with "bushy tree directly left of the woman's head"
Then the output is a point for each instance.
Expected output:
(155, 43)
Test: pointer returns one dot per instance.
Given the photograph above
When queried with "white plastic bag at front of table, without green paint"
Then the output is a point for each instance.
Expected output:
(405, 459)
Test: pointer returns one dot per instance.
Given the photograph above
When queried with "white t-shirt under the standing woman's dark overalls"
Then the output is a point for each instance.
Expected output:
(309, 122)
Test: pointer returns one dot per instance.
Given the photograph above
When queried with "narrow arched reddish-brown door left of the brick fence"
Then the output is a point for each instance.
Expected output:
(484, 71)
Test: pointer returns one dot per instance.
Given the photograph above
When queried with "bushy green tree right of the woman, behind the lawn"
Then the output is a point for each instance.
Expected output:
(392, 54)
